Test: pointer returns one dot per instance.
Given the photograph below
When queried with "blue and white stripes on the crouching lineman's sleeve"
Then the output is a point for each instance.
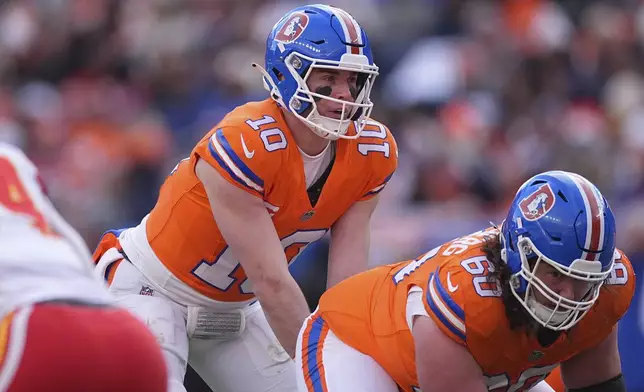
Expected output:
(446, 311)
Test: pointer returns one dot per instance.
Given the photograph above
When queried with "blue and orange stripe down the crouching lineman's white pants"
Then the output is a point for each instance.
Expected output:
(312, 344)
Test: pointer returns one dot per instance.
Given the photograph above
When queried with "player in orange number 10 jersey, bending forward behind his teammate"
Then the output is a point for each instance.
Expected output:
(208, 267)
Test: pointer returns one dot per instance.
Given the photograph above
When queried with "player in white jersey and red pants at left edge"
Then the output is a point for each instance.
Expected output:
(58, 331)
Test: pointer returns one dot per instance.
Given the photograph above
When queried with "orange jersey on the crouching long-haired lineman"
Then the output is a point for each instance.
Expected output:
(369, 312)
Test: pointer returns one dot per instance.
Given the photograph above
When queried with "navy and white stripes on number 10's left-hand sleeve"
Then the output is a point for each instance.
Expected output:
(227, 158)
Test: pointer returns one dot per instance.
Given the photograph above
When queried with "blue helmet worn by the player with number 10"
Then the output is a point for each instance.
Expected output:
(319, 37)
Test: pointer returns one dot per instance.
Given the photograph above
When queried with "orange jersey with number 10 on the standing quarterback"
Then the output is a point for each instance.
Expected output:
(253, 148)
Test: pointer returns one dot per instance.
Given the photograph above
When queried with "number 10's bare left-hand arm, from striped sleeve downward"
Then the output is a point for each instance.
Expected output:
(247, 228)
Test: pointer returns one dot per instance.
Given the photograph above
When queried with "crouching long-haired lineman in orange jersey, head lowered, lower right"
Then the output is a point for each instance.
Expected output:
(496, 310)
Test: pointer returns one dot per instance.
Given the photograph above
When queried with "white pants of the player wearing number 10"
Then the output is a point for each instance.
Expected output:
(253, 362)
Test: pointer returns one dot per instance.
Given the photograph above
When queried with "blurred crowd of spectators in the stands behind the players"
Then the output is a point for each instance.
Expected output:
(106, 96)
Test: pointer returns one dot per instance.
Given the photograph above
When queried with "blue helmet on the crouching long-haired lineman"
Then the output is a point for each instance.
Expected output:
(561, 219)
